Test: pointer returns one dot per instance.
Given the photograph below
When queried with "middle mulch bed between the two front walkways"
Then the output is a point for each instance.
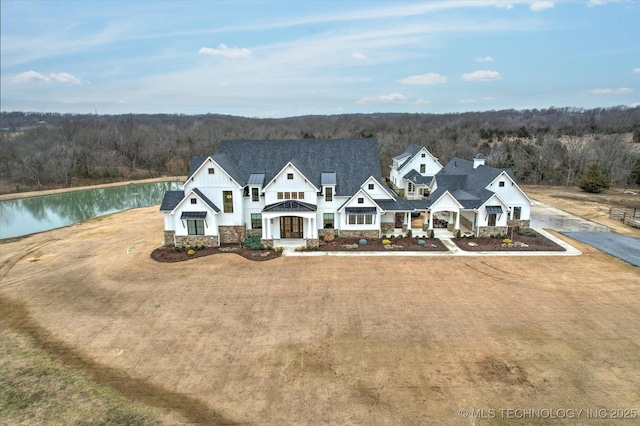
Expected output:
(397, 244)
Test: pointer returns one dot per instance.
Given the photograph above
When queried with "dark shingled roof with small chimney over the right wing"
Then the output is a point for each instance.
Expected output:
(466, 184)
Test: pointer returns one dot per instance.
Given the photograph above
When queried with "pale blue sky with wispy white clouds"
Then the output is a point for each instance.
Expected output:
(291, 58)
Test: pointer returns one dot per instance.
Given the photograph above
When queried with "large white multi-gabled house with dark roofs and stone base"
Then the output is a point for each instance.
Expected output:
(302, 189)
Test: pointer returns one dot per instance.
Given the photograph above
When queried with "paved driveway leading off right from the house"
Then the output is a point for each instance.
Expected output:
(598, 236)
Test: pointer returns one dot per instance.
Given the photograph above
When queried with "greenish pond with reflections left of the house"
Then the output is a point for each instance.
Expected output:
(36, 214)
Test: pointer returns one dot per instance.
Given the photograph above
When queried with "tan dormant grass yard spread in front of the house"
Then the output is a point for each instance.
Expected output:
(308, 340)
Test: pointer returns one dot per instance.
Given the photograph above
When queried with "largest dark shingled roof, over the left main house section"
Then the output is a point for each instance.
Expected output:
(353, 160)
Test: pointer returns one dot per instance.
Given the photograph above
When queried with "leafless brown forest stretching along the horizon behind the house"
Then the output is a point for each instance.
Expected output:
(549, 146)
